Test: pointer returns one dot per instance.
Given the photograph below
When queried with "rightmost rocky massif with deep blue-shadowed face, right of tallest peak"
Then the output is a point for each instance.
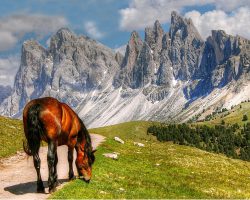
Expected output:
(223, 61)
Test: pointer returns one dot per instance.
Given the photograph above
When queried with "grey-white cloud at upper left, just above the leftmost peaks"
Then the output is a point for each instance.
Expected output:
(14, 27)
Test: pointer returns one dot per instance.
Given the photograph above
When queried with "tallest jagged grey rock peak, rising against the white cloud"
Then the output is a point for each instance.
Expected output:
(186, 47)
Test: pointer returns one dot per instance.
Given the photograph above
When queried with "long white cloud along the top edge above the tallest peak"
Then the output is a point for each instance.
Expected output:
(141, 14)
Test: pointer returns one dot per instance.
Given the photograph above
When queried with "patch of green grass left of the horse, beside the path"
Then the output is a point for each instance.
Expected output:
(11, 136)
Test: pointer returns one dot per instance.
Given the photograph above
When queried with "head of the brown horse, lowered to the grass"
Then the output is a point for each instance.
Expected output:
(84, 164)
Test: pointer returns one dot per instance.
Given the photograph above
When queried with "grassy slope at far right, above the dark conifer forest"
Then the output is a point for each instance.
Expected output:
(232, 116)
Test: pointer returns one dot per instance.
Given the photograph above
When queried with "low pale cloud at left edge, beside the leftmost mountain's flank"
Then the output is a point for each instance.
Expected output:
(8, 69)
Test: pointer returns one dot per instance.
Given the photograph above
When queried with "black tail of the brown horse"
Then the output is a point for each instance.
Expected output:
(34, 130)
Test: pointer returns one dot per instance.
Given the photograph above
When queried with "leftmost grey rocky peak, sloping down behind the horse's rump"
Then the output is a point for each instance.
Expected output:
(29, 80)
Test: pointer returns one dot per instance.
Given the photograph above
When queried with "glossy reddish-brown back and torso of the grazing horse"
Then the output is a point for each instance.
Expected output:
(58, 119)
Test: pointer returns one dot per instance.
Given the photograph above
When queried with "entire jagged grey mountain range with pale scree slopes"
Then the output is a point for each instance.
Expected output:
(168, 76)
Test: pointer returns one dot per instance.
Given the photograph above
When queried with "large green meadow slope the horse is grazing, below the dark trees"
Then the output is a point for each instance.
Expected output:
(158, 170)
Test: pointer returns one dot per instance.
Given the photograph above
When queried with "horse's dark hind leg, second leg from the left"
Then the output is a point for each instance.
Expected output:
(51, 158)
